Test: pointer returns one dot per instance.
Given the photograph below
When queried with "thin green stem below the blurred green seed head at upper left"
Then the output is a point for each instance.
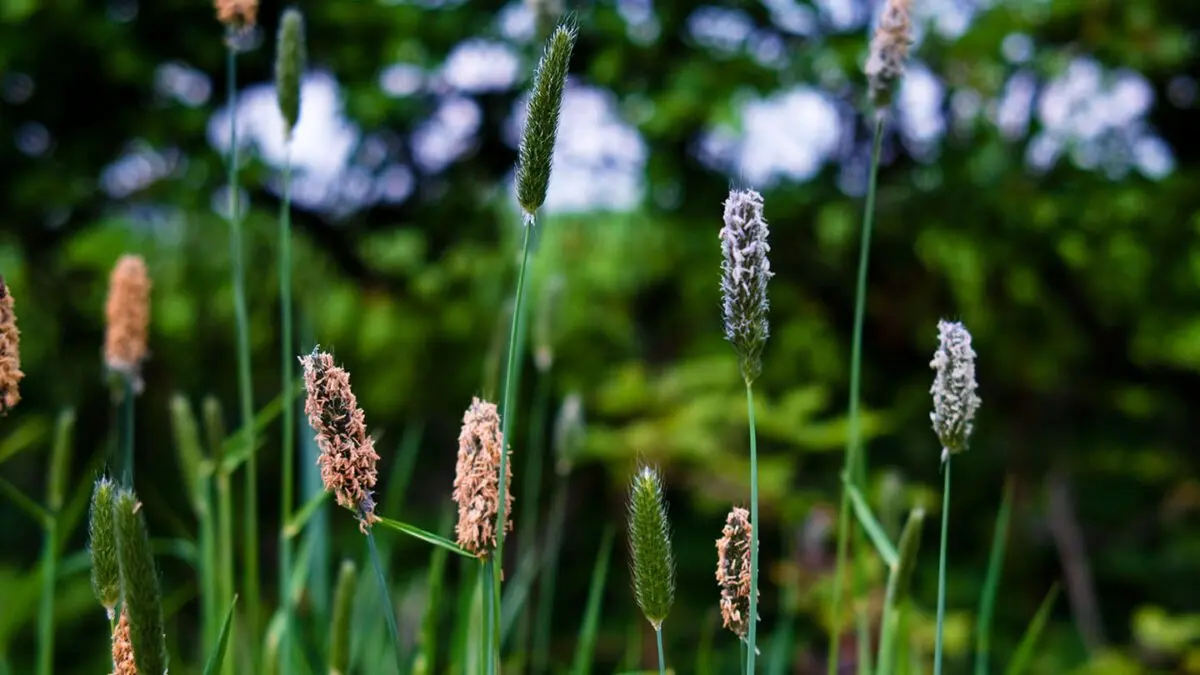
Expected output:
(287, 365)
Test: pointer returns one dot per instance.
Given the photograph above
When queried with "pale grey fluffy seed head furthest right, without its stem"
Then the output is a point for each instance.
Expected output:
(955, 387)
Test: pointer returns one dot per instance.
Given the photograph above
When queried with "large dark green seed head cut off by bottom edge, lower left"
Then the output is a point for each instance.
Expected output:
(140, 586)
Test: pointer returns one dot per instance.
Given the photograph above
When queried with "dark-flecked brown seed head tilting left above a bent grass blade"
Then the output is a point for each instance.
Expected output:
(347, 455)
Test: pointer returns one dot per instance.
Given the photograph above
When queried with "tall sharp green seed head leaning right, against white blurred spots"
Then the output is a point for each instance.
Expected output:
(545, 107)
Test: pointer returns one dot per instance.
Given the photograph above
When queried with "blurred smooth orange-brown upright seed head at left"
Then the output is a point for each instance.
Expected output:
(129, 318)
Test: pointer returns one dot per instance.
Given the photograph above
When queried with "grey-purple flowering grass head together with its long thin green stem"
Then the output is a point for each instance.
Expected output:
(746, 271)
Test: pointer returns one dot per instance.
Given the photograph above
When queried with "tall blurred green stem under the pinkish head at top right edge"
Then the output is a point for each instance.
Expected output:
(856, 467)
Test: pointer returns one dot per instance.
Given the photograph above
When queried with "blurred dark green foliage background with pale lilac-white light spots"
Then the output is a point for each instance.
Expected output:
(1039, 183)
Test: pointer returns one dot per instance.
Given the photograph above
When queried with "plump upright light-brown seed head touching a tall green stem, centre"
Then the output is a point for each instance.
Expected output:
(477, 479)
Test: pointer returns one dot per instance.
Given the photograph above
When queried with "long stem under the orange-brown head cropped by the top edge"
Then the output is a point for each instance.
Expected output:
(250, 506)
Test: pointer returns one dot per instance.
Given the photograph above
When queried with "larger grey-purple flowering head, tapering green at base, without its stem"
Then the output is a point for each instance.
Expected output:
(746, 272)
